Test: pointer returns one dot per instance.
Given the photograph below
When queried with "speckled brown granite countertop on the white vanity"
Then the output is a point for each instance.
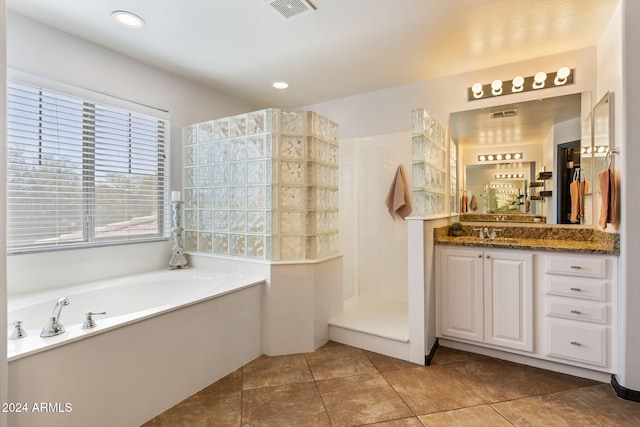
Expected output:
(554, 238)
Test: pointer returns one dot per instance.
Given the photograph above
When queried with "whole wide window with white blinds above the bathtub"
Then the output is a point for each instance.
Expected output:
(80, 172)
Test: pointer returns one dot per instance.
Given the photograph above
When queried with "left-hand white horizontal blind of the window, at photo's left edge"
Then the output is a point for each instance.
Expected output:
(44, 167)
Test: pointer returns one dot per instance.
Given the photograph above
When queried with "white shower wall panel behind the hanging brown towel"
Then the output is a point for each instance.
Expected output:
(373, 243)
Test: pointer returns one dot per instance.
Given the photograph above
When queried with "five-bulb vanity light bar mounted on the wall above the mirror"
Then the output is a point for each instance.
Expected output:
(541, 80)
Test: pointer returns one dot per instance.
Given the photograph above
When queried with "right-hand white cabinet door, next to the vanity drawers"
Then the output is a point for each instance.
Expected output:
(508, 284)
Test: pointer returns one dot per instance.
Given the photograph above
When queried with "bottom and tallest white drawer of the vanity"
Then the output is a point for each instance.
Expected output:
(586, 344)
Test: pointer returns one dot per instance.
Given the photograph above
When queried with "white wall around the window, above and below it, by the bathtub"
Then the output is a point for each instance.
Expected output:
(80, 63)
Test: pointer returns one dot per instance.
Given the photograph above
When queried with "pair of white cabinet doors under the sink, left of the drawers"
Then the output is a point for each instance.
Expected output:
(485, 296)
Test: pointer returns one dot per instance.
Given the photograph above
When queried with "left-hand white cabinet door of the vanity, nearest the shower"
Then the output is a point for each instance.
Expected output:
(460, 292)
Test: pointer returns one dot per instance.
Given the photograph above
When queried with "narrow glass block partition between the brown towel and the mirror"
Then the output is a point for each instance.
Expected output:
(429, 165)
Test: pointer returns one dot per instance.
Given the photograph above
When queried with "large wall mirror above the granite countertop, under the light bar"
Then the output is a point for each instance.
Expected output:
(508, 153)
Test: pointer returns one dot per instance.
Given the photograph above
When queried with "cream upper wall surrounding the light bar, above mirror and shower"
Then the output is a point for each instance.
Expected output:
(389, 110)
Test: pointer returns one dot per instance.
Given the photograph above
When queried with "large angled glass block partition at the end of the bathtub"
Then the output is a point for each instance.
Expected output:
(262, 185)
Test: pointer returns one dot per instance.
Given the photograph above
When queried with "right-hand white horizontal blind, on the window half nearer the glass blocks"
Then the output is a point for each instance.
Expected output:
(129, 174)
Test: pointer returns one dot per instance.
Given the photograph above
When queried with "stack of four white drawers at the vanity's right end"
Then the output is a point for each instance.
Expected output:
(579, 302)
